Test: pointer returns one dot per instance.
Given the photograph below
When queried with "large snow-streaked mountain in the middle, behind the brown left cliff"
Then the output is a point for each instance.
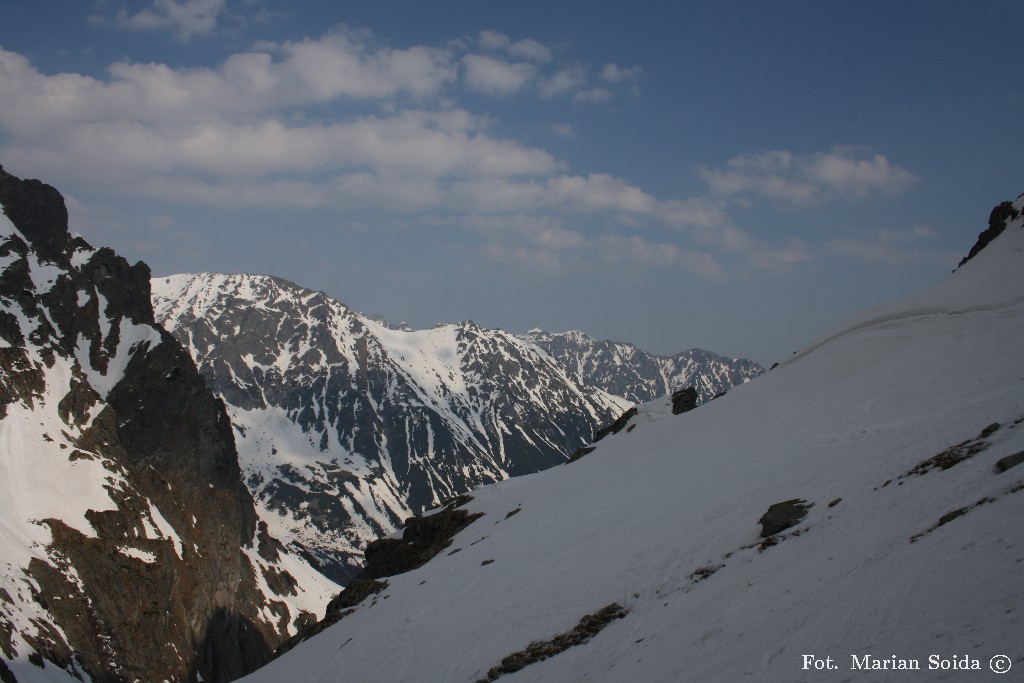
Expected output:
(347, 426)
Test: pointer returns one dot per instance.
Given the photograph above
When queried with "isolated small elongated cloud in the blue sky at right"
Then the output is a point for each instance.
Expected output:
(807, 180)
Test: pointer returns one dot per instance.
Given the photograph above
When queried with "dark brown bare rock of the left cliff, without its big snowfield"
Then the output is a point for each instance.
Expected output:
(195, 611)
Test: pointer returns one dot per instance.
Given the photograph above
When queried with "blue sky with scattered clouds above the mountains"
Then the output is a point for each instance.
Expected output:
(732, 176)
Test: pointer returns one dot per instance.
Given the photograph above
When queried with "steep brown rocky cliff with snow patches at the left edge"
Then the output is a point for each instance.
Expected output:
(131, 549)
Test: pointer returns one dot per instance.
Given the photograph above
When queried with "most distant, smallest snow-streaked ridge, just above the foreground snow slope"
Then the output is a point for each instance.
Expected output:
(624, 370)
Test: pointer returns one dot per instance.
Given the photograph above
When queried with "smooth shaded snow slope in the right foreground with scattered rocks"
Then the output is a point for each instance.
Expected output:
(858, 508)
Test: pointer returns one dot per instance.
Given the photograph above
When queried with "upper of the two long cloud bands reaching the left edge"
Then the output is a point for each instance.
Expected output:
(340, 65)
